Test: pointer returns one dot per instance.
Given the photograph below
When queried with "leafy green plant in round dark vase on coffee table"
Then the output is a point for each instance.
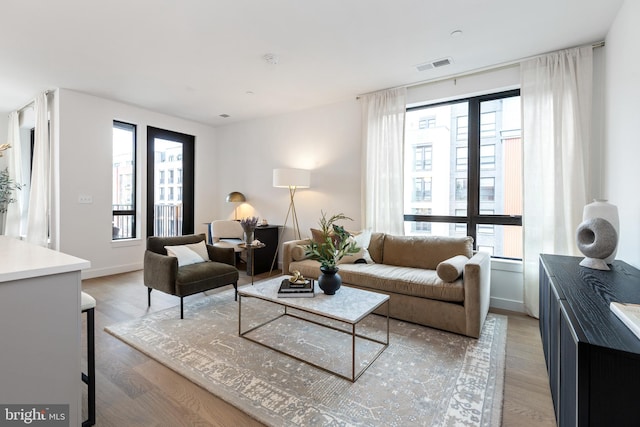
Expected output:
(334, 244)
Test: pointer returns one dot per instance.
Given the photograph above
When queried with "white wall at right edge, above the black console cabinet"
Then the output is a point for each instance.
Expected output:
(621, 172)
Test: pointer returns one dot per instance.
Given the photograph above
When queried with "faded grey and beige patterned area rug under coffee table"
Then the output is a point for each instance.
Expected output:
(425, 377)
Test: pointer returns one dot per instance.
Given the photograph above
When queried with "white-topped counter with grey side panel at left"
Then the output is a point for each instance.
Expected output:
(40, 327)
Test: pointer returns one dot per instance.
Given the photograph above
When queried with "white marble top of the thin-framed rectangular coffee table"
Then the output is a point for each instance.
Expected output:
(348, 305)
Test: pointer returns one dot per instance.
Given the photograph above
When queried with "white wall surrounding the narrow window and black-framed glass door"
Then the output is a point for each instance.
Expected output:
(85, 131)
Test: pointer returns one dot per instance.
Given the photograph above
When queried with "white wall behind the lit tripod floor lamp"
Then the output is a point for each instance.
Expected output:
(325, 140)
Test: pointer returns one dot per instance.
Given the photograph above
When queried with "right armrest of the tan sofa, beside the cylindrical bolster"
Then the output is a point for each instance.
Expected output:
(477, 291)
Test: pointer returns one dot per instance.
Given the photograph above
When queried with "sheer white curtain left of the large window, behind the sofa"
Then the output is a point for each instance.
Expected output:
(382, 187)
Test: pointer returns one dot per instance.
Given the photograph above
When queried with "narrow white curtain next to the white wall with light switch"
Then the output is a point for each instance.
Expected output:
(39, 196)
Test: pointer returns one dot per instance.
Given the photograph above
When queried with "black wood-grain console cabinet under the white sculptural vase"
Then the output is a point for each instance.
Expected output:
(593, 359)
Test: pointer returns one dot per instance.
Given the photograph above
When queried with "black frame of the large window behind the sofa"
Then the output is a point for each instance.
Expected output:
(474, 217)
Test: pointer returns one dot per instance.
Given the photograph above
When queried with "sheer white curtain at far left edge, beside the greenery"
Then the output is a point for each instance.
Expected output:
(13, 226)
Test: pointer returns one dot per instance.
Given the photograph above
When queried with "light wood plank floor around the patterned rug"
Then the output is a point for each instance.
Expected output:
(134, 390)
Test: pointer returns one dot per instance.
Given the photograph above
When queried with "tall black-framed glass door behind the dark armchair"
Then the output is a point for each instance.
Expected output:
(170, 182)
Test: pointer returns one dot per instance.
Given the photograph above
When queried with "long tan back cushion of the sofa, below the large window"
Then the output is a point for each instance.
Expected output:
(424, 251)
